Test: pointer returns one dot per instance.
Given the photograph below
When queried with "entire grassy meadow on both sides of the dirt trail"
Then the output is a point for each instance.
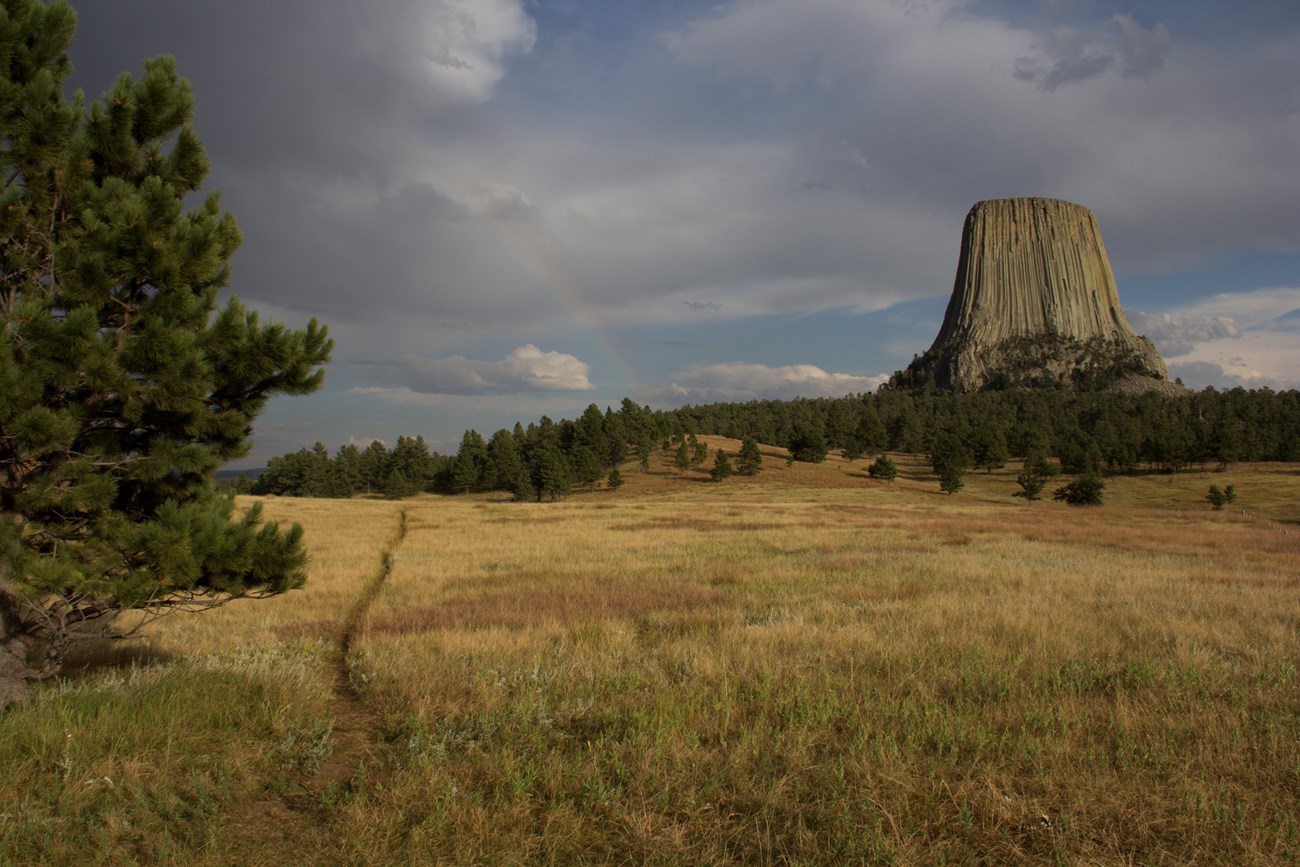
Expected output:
(803, 667)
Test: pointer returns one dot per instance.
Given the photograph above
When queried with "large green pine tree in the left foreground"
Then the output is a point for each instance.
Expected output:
(123, 385)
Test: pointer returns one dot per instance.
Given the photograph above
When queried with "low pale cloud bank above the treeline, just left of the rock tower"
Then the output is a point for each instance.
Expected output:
(739, 382)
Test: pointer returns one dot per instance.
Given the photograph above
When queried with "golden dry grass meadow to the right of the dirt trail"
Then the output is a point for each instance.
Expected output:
(816, 669)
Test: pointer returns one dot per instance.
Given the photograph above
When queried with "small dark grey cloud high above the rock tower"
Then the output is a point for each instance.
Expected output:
(1068, 55)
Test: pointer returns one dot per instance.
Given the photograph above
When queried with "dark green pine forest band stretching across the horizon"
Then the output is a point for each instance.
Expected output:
(1086, 432)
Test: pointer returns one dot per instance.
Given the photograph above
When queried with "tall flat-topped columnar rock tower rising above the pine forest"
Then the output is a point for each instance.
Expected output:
(1035, 305)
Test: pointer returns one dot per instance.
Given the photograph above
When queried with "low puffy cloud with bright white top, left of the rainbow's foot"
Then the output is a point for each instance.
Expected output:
(525, 370)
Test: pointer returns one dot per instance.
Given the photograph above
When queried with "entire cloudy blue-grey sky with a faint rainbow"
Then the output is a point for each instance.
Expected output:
(514, 209)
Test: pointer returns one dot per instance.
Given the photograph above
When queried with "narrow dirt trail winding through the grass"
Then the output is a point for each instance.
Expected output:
(280, 825)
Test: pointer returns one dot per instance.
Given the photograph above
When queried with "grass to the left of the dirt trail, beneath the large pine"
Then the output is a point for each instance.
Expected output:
(141, 751)
